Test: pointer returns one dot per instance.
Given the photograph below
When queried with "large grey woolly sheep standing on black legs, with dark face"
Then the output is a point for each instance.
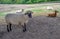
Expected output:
(18, 19)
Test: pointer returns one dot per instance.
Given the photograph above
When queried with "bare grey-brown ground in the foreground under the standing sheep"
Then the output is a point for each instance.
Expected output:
(40, 27)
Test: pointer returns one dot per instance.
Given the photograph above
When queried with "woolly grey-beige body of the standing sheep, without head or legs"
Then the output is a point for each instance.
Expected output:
(16, 18)
